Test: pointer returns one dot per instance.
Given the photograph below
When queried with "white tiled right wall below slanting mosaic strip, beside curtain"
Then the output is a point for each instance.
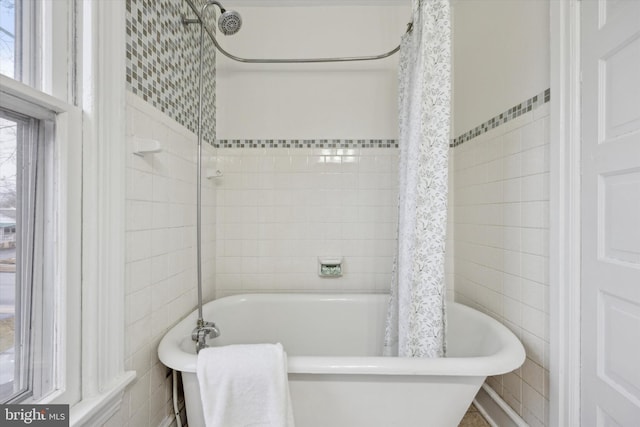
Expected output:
(501, 221)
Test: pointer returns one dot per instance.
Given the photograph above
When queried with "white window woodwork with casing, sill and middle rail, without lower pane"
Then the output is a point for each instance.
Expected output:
(91, 219)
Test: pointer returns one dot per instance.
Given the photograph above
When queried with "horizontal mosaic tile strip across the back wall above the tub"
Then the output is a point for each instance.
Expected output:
(306, 143)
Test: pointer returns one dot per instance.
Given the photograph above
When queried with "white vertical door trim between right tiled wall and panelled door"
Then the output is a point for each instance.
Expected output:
(564, 229)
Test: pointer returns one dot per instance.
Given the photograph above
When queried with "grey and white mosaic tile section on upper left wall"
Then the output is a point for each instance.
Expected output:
(163, 61)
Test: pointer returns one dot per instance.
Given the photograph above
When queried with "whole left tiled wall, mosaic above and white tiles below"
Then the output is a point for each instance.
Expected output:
(162, 58)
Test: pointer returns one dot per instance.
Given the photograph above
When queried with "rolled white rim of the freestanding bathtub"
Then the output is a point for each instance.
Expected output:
(510, 355)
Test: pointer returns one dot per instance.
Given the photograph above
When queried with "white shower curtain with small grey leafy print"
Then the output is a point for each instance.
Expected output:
(415, 320)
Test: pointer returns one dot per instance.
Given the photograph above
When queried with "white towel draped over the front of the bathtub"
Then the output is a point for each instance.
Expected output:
(245, 385)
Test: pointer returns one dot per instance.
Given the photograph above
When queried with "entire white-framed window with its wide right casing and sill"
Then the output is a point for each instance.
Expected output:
(47, 83)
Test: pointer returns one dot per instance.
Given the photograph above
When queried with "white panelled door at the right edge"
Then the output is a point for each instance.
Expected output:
(610, 325)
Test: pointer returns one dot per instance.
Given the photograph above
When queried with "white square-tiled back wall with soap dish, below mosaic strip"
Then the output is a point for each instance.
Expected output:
(279, 209)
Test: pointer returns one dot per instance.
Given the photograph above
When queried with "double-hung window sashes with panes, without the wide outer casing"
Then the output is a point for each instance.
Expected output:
(39, 271)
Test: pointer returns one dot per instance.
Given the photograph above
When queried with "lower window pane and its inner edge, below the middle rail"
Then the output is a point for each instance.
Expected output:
(26, 333)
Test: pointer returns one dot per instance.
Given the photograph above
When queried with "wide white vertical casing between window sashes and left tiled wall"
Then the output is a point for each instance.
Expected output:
(102, 93)
